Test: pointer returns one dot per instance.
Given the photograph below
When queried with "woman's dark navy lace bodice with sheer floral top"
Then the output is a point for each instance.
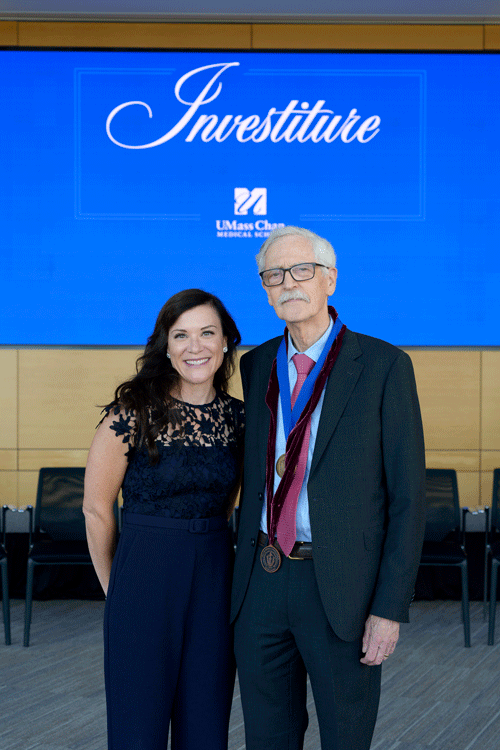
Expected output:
(198, 462)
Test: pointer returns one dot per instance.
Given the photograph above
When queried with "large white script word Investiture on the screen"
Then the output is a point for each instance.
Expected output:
(298, 122)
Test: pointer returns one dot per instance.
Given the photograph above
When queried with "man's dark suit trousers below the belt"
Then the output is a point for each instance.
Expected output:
(281, 635)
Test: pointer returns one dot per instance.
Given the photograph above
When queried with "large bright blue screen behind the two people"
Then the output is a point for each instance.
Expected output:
(127, 176)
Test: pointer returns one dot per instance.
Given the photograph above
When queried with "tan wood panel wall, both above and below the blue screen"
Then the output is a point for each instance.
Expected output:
(49, 397)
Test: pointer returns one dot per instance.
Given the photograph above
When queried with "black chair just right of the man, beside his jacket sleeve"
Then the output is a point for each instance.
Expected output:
(444, 542)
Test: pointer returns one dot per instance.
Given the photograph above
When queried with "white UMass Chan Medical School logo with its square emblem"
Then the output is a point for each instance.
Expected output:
(244, 201)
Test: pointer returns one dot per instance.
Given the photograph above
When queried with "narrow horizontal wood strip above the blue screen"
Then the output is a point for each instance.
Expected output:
(425, 37)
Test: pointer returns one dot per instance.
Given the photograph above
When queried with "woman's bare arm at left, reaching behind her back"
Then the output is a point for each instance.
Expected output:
(106, 467)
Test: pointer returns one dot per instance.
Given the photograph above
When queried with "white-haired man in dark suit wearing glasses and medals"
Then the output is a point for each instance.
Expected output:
(330, 533)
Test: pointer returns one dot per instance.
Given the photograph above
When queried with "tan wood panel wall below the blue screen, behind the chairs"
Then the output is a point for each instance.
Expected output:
(49, 404)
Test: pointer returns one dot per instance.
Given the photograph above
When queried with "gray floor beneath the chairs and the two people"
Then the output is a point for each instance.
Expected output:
(437, 695)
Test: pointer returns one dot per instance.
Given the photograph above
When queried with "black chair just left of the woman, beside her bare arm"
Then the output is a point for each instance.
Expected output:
(57, 533)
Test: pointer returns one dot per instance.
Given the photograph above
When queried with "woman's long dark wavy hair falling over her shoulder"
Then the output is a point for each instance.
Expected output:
(149, 391)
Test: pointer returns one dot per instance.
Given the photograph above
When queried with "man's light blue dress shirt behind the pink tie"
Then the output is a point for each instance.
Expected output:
(303, 525)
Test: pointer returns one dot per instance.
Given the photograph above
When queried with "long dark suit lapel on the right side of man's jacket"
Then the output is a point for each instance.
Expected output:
(339, 388)
